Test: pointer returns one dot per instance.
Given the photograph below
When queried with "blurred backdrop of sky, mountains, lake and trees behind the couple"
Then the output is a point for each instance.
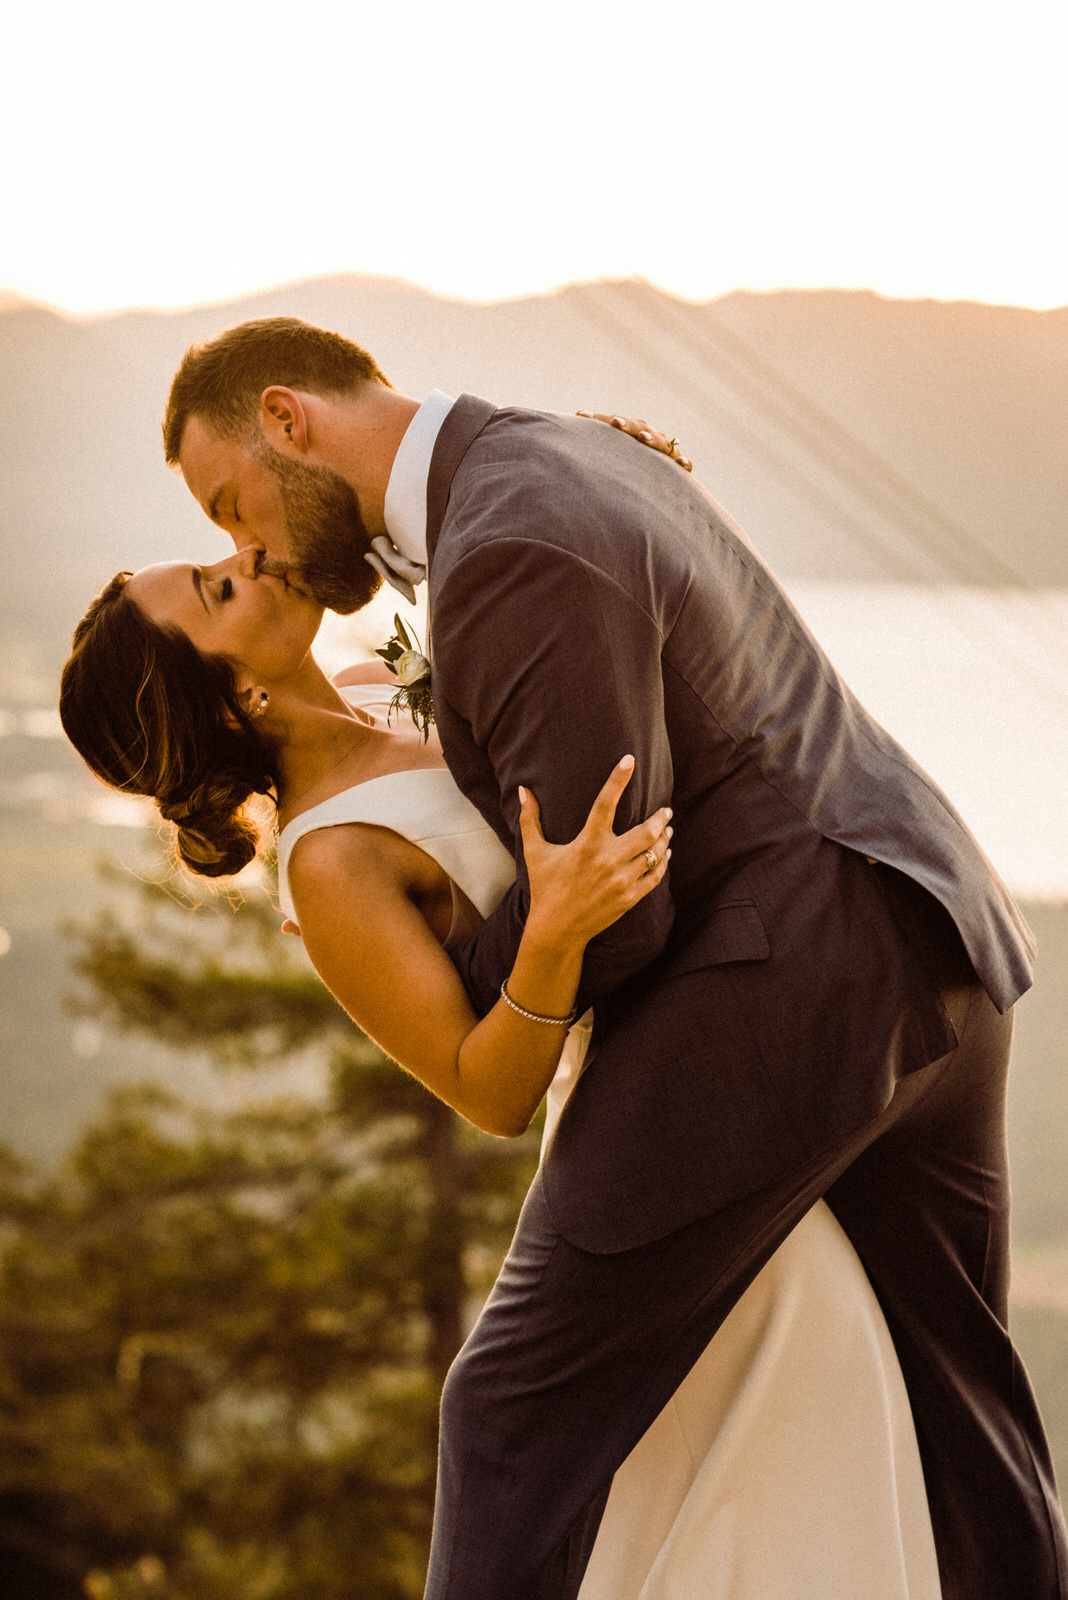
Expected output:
(821, 246)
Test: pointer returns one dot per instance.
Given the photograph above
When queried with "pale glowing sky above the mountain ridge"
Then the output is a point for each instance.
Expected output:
(164, 156)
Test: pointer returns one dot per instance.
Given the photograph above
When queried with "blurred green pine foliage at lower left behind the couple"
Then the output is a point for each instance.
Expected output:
(223, 1337)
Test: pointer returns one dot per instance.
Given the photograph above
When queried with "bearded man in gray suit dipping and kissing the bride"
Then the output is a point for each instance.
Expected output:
(815, 1004)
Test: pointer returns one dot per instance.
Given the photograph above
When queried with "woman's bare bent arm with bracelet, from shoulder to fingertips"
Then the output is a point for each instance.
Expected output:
(359, 895)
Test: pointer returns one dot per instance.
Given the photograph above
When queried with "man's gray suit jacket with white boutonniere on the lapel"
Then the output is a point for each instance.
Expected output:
(589, 599)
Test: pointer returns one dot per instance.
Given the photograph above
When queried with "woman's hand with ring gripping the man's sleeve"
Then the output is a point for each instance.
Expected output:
(581, 889)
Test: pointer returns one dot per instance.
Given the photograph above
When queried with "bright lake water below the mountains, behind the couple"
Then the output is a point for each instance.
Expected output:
(974, 684)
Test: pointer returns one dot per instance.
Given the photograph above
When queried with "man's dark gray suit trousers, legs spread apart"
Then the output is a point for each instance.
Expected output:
(578, 1353)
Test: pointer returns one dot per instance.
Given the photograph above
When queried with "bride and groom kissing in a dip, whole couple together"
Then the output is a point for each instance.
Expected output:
(655, 860)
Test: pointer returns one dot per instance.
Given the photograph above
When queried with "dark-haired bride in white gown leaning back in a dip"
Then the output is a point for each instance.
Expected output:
(786, 1468)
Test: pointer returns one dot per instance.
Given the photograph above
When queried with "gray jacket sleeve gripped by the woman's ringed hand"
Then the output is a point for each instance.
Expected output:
(548, 673)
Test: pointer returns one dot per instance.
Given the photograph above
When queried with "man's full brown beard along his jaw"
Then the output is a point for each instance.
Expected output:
(327, 534)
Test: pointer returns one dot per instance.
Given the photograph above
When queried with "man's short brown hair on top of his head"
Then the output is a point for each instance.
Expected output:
(221, 382)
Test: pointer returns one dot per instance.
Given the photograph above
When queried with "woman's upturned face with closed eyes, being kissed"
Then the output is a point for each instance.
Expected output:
(265, 626)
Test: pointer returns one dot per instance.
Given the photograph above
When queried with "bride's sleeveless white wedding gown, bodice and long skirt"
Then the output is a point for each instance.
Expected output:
(786, 1468)
